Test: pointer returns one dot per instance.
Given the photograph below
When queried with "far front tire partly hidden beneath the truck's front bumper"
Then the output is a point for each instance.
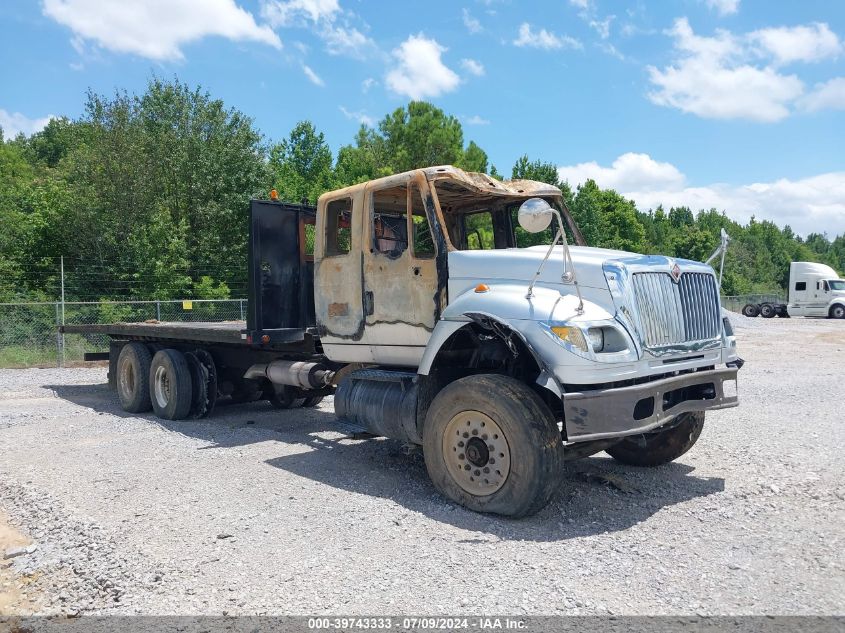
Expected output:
(661, 447)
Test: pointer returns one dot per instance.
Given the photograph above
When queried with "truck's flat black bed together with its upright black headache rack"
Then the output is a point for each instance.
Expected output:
(280, 314)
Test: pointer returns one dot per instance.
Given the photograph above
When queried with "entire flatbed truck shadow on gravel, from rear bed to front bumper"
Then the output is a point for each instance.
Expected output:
(596, 495)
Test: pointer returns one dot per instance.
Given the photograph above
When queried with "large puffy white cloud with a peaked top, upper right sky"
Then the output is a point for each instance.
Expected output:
(711, 79)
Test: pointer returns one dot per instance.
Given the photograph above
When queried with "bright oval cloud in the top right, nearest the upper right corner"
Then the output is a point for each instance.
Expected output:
(804, 43)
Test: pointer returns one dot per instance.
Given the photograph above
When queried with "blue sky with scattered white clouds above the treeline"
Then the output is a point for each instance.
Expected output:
(737, 105)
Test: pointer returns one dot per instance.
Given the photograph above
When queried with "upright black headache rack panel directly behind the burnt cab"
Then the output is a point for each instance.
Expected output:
(281, 273)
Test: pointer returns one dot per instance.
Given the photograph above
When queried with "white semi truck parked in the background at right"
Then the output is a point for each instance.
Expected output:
(815, 290)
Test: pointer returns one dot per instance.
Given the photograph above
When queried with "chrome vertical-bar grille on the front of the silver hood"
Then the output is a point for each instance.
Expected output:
(672, 314)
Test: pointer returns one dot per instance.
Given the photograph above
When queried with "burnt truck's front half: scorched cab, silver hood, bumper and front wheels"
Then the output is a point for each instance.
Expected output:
(420, 287)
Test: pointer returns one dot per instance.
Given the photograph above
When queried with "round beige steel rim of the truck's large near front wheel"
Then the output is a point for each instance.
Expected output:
(476, 453)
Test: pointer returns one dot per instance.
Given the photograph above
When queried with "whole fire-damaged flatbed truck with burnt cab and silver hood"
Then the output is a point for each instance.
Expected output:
(418, 311)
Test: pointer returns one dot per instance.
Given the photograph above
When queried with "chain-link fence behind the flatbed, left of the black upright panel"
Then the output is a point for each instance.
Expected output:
(29, 334)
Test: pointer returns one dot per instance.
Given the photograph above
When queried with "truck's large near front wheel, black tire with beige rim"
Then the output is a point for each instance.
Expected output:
(492, 445)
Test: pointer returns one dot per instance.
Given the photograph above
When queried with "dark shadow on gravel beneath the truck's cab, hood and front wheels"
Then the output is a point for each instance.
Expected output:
(596, 494)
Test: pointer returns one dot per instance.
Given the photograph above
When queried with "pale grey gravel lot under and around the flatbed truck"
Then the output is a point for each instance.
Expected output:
(259, 511)
